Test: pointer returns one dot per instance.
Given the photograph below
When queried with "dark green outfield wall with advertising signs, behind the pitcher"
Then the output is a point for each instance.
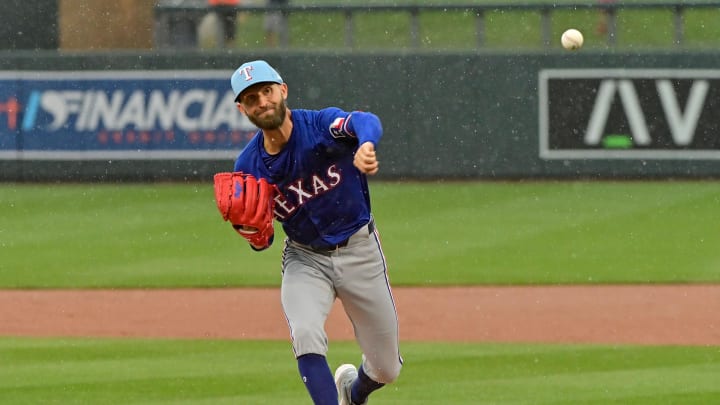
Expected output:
(446, 115)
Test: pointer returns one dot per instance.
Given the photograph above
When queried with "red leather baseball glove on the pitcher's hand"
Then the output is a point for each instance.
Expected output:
(248, 204)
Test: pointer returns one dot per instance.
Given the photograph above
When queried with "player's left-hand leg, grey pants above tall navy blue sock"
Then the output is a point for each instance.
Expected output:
(307, 296)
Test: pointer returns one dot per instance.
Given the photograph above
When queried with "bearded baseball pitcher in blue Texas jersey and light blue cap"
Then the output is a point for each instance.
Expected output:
(314, 164)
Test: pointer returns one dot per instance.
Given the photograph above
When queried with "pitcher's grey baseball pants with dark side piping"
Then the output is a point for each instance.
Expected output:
(357, 275)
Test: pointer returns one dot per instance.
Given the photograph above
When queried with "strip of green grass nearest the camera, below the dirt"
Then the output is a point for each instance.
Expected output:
(109, 371)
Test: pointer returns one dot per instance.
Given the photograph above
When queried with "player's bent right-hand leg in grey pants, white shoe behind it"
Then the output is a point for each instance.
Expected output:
(368, 301)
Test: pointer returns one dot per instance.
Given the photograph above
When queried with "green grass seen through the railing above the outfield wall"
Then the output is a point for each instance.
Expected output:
(455, 30)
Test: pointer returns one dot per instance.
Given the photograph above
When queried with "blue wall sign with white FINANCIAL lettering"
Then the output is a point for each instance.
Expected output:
(89, 115)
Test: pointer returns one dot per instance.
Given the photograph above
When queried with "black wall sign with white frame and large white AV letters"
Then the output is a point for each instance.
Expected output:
(629, 114)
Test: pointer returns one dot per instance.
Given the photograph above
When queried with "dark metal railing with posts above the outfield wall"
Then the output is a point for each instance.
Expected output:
(176, 20)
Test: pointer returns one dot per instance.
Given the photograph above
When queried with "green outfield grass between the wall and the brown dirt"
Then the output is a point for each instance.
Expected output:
(152, 235)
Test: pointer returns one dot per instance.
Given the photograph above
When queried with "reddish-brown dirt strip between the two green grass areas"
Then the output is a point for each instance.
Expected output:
(653, 315)
